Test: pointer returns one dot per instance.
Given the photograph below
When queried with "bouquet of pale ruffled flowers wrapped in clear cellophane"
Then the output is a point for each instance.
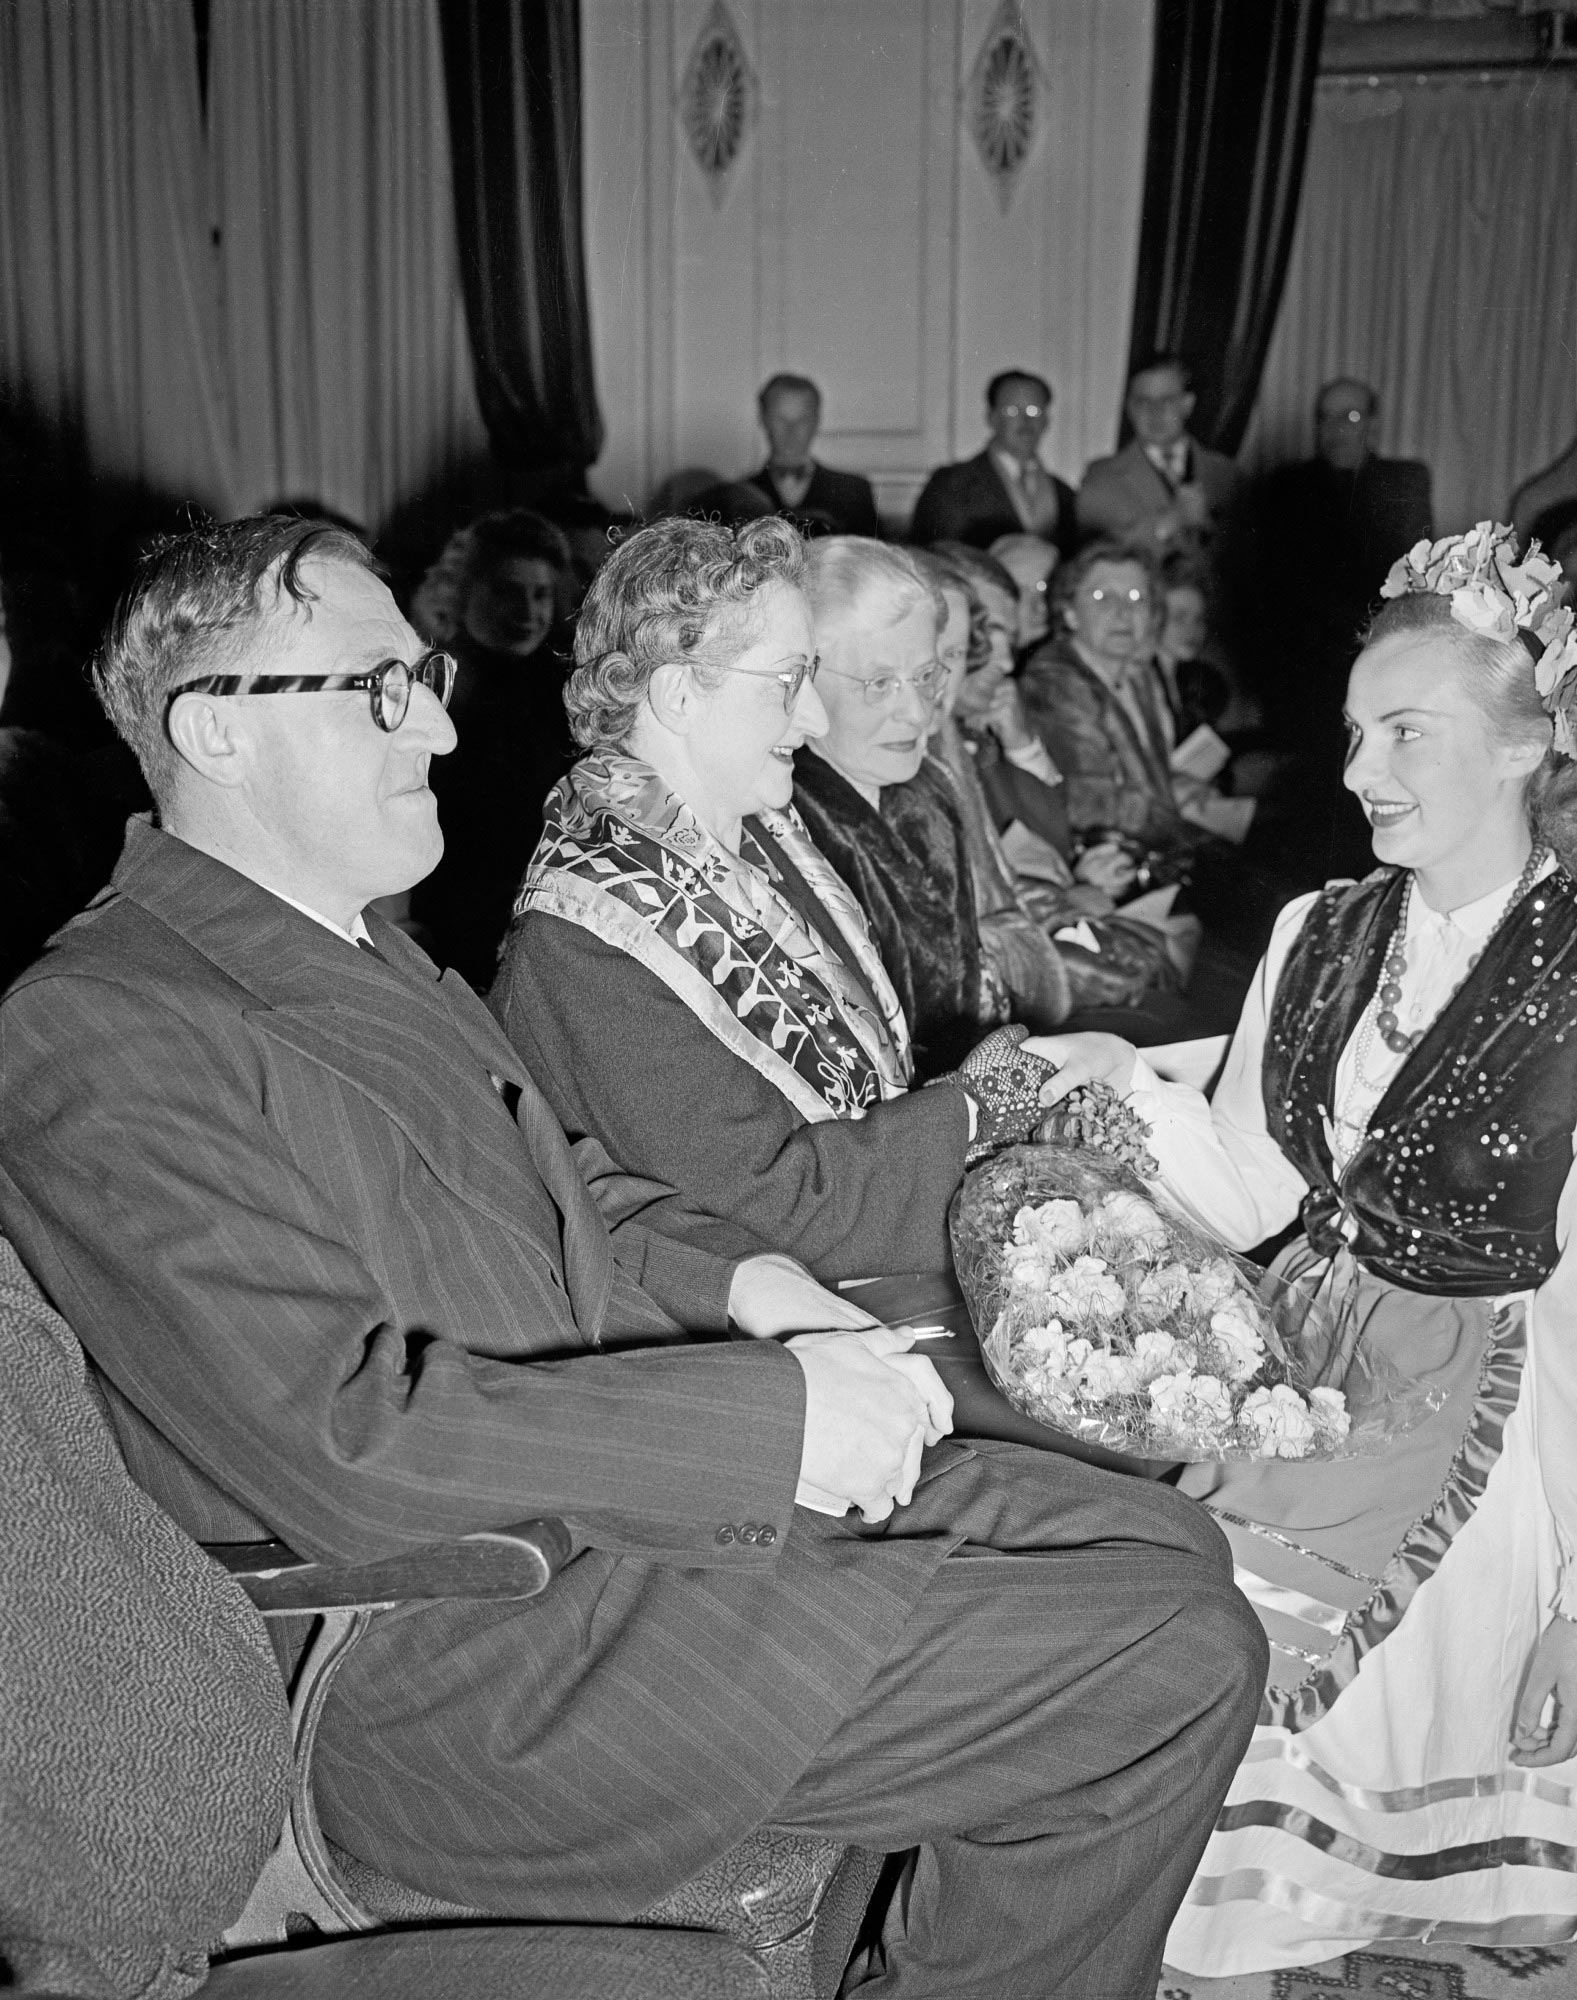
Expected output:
(1110, 1317)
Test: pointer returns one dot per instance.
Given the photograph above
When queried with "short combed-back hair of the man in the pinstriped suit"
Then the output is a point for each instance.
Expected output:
(195, 609)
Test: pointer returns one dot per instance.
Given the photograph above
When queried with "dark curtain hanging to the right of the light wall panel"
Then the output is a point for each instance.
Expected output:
(1232, 103)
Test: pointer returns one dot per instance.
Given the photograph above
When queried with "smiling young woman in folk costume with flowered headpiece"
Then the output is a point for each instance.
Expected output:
(1404, 1081)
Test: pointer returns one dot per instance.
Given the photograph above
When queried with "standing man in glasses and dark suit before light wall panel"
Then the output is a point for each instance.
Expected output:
(1004, 489)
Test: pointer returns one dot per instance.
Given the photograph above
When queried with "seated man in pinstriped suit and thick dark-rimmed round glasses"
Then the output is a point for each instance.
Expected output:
(349, 1285)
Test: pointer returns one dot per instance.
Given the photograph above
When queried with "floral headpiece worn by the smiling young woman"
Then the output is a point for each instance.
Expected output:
(1500, 597)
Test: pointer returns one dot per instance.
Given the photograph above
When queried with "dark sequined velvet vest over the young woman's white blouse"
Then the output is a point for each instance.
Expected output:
(1456, 1185)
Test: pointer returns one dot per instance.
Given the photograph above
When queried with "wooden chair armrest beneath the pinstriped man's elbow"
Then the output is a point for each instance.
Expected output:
(503, 1563)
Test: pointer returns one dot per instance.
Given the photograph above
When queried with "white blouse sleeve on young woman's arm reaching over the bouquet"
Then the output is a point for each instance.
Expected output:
(1218, 1159)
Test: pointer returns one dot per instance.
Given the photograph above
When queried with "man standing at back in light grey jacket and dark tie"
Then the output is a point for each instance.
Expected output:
(1164, 489)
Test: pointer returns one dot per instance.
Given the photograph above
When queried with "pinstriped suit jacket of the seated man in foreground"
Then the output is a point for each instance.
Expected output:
(345, 1295)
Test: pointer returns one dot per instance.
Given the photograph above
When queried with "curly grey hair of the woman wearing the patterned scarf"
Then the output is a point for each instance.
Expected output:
(677, 591)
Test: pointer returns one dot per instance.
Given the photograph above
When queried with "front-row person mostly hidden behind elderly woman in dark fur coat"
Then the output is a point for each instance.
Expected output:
(1108, 963)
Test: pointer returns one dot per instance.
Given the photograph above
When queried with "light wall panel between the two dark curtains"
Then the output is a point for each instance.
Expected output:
(860, 239)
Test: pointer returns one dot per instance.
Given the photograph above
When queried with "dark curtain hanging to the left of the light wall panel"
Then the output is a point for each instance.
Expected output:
(513, 83)
